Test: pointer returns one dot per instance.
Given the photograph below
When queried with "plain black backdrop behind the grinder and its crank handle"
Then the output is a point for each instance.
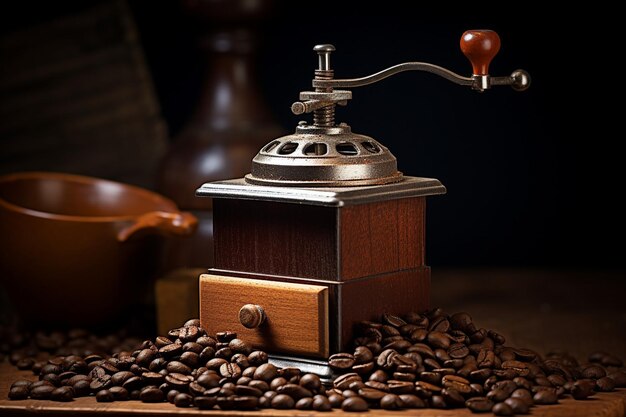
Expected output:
(533, 178)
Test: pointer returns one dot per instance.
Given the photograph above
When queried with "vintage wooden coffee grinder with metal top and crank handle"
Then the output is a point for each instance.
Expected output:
(324, 231)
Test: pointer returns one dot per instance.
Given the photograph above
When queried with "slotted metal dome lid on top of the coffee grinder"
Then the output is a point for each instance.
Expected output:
(324, 157)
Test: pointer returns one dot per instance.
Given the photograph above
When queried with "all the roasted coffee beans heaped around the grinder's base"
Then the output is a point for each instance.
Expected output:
(422, 360)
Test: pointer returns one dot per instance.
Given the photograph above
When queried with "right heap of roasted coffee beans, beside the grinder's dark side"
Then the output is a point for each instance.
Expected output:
(444, 361)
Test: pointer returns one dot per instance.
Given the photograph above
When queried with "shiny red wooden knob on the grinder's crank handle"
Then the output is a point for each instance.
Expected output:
(480, 47)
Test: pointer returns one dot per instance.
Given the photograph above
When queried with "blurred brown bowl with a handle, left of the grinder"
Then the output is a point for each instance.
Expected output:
(77, 250)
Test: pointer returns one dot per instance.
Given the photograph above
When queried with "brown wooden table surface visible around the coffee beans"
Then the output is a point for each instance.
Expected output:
(577, 311)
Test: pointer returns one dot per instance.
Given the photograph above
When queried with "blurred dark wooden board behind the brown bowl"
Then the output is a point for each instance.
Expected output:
(76, 94)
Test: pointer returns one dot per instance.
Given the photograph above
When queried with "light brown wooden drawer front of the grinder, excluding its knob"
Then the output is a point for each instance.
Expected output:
(296, 322)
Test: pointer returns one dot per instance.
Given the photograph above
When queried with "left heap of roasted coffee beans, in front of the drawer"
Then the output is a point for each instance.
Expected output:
(187, 367)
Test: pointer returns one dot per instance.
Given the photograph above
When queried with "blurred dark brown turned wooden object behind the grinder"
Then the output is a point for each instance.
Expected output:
(230, 120)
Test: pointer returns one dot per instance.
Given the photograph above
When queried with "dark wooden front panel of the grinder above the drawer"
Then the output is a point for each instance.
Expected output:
(275, 238)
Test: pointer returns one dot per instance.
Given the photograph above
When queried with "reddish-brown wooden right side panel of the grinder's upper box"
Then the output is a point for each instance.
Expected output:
(381, 237)
